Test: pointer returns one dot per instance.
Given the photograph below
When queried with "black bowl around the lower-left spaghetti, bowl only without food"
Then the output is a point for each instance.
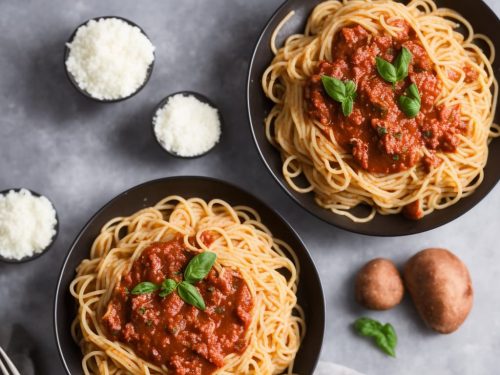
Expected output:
(310, 294)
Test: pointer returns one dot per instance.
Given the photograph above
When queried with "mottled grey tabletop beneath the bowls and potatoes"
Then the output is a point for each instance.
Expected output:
(81, 154)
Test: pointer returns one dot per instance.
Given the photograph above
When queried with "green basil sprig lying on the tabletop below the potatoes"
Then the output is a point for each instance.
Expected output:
(384, 334)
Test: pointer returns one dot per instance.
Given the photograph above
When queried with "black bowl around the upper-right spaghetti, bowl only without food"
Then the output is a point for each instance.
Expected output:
(482, 19)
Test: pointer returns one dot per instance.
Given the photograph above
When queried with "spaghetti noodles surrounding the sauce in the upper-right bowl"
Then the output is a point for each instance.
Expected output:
(465, 80)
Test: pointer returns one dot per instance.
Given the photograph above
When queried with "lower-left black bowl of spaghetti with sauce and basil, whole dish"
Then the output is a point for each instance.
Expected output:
(188, 275)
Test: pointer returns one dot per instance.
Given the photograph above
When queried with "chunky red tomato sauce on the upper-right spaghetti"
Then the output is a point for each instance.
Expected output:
(381, 138)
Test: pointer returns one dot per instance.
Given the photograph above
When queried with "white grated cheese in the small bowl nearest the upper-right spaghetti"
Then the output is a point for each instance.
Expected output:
(186, 126)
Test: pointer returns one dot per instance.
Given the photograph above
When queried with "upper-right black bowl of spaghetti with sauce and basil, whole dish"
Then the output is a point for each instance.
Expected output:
(379, 116)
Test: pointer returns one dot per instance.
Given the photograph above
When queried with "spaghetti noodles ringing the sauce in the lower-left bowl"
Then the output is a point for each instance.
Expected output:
(241, 242)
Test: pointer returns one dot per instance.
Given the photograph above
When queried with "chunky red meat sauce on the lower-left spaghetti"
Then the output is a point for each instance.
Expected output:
(168, 331)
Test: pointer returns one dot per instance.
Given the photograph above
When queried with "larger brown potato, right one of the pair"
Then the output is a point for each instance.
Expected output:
(440, 287)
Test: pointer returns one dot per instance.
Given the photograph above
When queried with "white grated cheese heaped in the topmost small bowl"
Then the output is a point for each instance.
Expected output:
(109, 58)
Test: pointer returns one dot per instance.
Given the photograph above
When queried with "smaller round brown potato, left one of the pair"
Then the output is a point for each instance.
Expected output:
(379, 285)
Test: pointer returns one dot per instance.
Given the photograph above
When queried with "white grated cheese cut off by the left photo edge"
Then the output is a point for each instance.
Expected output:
(27, 224)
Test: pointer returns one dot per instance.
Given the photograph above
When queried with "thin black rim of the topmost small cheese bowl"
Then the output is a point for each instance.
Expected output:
(84, 92)
